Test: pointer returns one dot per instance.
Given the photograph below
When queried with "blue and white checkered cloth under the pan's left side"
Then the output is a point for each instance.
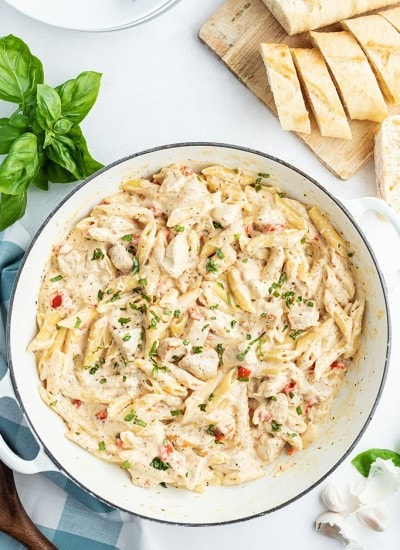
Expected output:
(66, 514)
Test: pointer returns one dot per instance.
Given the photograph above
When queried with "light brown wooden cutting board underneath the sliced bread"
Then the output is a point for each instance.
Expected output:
(234, 33)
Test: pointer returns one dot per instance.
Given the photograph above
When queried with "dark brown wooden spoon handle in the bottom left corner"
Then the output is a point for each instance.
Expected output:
(14, 520)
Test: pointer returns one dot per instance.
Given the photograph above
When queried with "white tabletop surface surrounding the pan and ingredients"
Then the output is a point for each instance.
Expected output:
(162, 85)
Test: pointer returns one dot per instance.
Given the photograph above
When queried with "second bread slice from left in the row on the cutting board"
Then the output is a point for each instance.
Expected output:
(321, 93)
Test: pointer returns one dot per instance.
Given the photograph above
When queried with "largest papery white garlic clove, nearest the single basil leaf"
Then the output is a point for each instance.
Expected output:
(382, 482)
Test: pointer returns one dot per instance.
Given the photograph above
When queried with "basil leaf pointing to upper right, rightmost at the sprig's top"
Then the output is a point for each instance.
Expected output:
(78, 95)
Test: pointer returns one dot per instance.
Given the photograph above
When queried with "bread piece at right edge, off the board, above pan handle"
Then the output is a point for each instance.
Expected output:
(387, 161)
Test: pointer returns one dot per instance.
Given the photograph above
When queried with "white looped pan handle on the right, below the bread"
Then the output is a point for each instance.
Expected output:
(359, 206)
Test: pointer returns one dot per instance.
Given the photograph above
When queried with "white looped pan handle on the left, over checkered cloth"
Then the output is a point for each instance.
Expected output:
(41, 463)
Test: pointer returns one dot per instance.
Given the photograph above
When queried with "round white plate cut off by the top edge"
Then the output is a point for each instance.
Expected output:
(92, 15)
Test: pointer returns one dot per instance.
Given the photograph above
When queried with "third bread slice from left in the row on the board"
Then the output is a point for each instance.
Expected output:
(353, 75)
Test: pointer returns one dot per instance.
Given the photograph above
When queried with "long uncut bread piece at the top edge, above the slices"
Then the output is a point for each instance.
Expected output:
(305, 15)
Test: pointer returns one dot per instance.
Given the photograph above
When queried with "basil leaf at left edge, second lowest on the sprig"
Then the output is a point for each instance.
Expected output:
(20, 165)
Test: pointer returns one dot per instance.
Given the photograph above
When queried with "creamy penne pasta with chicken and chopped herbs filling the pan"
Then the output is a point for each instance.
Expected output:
(194, 326)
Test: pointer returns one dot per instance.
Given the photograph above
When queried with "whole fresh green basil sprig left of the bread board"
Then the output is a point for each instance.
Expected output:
(42, 139)
